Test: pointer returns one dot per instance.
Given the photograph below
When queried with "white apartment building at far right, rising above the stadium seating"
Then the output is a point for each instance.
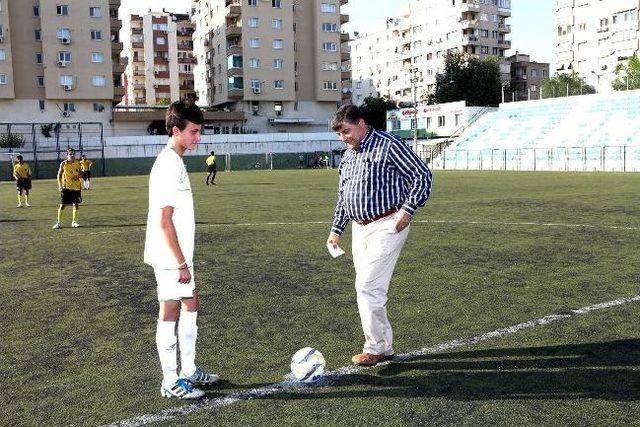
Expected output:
(594, 36)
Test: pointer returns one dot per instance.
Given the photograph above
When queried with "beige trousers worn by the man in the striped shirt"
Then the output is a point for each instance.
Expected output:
(376, 248)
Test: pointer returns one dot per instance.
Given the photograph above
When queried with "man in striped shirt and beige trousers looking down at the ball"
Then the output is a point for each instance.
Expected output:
(382, 183)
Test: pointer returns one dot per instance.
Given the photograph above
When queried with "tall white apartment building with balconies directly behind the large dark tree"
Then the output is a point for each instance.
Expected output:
(476, 27)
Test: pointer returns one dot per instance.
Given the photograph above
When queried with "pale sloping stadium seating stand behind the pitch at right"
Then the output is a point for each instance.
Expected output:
(578, 133)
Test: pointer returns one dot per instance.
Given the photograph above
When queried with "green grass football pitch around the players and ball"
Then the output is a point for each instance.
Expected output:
(79, 307)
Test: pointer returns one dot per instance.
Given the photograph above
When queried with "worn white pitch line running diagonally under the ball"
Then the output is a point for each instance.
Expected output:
(288, 386)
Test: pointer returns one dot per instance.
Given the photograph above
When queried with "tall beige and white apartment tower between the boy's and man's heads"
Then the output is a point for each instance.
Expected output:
(284, 63)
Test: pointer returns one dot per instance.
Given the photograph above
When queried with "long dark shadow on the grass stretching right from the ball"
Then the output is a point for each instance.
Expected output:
(605, 370)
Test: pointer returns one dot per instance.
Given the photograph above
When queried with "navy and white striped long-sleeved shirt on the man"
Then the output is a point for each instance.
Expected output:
(381, 174)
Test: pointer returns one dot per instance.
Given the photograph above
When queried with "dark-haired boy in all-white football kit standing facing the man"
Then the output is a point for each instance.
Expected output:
(169, 250)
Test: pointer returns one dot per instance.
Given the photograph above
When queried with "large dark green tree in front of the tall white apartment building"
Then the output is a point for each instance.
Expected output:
(470, 79)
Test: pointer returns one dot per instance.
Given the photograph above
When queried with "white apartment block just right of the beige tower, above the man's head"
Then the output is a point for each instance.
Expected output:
(377, 62)
